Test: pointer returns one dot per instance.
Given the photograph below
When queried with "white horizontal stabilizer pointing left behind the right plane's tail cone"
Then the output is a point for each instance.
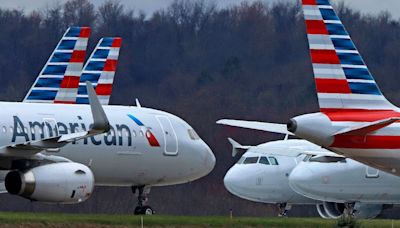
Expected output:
(255, 125)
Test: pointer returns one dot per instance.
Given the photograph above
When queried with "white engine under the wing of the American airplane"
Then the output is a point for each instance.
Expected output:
(65, 183)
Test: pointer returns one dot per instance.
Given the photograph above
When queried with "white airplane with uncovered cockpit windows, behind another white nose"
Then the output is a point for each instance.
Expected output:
(262, 176)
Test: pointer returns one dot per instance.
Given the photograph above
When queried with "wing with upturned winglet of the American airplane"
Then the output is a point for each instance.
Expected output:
(100, 125)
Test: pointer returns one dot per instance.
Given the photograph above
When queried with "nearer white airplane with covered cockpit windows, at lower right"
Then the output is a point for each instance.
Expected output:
(330, 178)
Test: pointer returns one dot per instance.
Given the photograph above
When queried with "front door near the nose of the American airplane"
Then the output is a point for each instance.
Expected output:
(170, 139)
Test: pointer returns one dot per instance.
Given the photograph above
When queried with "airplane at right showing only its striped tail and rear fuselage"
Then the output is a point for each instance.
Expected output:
(355, 119)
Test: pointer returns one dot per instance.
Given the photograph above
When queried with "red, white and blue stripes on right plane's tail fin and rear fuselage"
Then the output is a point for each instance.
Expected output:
(347, 92)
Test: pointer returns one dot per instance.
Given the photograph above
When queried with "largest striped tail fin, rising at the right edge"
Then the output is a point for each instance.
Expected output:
(342, 79)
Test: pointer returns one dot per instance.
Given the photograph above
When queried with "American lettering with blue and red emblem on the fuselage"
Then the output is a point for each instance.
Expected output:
(119, 134)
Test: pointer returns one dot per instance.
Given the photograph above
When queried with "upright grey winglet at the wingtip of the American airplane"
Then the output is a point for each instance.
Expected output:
(100, 120)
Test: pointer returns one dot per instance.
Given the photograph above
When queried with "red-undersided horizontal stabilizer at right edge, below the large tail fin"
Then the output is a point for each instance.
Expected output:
(367, 128)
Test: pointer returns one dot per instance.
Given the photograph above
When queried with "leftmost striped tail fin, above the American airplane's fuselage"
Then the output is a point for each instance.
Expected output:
(59, 79)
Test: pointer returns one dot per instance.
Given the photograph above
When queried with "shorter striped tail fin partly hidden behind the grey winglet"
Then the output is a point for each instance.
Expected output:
(100, 70)
